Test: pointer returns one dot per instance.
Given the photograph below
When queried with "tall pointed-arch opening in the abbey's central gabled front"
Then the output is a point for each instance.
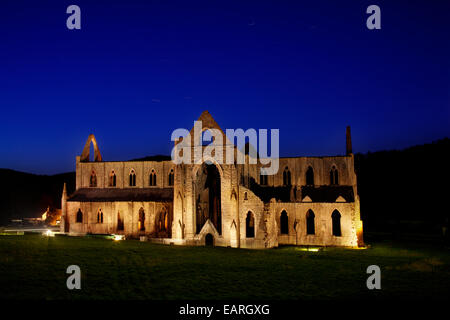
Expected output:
(208, 197)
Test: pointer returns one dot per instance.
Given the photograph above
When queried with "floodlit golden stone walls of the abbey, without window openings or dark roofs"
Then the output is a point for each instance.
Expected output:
(237, 196)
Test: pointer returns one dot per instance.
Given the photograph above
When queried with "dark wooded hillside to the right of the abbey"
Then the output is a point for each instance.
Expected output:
(407, 185)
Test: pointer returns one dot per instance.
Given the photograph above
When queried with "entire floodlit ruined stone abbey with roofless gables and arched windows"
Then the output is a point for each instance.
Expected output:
(310, 201)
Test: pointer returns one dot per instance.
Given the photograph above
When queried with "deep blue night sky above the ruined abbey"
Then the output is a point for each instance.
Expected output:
(139, 69)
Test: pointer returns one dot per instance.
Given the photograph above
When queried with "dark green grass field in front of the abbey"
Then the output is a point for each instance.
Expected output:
(34, 267)
